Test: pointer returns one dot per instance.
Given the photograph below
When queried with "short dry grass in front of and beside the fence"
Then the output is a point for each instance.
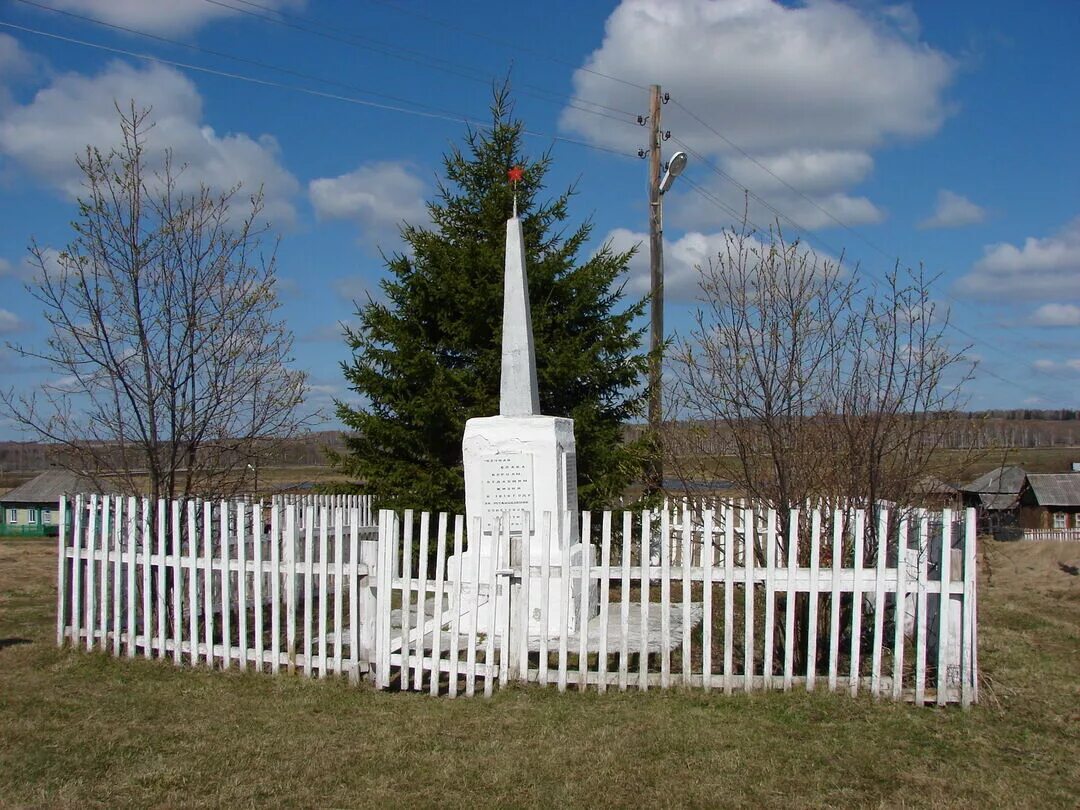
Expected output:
(86, 730)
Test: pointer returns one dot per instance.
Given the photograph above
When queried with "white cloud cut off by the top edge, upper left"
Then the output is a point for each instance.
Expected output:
(163, 17)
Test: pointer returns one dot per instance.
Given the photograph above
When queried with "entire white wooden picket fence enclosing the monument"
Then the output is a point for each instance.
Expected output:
(727, 599)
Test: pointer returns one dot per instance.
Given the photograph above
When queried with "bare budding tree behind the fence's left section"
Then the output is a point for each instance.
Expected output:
(171, 362)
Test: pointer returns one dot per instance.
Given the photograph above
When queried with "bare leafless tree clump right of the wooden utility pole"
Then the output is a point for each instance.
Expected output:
(827, 387)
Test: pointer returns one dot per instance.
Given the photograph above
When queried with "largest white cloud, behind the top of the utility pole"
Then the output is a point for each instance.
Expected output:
(808, 90)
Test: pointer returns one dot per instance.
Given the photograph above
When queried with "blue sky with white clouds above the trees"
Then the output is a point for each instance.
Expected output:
(937, 132)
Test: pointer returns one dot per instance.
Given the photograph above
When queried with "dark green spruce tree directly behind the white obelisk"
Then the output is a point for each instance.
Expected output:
(428, 357)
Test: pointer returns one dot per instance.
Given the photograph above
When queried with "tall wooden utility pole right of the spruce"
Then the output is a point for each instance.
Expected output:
(655, 476)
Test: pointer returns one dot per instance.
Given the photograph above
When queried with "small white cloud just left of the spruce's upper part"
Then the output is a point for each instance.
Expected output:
(379, 197)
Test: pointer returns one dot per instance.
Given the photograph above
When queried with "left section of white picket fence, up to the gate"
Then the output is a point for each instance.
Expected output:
(221, 584)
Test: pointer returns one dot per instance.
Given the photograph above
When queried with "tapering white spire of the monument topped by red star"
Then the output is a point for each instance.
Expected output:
(519, 391)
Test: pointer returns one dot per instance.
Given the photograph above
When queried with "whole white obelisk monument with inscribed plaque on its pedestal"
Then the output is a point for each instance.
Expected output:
(520, 467)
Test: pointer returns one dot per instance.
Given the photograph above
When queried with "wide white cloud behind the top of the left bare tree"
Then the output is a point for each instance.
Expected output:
(46, 136)
